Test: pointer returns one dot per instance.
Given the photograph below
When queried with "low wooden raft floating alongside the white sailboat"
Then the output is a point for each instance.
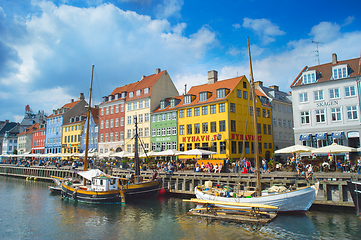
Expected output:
(232, 211)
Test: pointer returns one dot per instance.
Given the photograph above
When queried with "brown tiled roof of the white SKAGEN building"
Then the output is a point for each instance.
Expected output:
(325, 70)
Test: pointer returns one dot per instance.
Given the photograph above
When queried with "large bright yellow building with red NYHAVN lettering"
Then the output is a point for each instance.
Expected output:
(217, 116)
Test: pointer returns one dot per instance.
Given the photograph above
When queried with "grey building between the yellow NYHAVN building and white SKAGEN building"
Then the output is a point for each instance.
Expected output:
(282, 115)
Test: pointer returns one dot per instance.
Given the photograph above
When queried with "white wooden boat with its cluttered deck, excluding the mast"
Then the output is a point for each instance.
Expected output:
(297, 200)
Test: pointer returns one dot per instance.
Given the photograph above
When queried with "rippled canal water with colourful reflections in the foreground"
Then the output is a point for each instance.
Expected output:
(29, 211)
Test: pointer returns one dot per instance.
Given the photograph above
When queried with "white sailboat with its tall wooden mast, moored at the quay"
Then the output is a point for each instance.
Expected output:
(287, 200)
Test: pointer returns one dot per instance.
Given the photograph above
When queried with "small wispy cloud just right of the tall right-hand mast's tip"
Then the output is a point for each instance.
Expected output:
(264, 28)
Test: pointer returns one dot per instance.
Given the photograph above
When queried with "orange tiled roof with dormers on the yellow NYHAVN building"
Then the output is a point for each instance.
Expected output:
(195, 90)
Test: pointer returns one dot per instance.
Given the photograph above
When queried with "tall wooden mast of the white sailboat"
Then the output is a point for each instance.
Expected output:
(256, 153)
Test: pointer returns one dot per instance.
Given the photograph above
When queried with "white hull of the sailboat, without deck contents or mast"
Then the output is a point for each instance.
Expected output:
(299, 200)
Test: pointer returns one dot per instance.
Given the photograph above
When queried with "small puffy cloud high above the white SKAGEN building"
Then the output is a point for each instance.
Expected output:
(325, 32)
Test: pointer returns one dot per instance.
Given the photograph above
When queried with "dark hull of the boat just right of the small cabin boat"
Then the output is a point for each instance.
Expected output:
(146, 189)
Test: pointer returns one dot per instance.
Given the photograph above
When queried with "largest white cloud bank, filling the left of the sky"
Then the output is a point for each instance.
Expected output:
(62, 42)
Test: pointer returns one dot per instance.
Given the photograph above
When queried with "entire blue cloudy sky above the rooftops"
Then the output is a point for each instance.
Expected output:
(47, 48)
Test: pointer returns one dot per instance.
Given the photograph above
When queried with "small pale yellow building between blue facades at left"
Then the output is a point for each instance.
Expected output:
(72, 132)
